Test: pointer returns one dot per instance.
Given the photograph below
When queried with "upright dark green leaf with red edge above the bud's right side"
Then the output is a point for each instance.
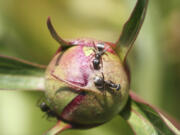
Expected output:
(131, 29)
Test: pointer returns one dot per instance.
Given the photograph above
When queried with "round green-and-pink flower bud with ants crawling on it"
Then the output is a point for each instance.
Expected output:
(83, 92)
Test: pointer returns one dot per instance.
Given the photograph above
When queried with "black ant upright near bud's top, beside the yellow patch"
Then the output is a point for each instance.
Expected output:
(99, 51)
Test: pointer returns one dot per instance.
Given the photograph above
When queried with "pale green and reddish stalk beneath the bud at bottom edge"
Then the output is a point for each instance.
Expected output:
(58, 128)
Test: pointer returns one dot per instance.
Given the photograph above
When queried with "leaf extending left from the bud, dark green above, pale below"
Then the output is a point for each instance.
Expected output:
(16, 74)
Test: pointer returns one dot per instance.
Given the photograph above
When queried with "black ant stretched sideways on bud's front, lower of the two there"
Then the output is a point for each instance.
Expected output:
(100, 83)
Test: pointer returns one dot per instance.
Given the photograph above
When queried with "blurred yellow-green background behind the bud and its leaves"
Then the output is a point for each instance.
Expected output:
(154, 60)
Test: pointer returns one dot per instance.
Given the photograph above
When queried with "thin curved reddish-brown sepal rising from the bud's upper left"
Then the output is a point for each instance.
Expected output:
(64, 44)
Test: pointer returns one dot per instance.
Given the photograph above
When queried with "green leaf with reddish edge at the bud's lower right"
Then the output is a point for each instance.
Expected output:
(145, 119)
